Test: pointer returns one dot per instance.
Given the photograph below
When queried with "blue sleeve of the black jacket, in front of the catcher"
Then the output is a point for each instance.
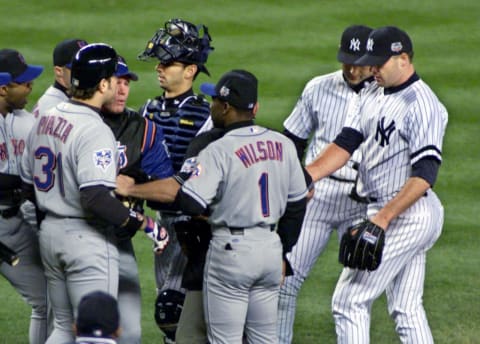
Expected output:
(155, 158)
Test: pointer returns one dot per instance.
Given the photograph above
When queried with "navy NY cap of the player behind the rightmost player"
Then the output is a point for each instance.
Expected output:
(353, 43)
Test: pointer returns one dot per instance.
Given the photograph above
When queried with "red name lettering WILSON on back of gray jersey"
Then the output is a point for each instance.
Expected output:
(260, 151)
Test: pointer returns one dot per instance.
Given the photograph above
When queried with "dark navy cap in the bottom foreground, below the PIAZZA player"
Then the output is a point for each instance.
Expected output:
(98, 315)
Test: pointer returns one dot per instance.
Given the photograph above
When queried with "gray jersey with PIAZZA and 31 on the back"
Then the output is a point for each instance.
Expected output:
(68, 149)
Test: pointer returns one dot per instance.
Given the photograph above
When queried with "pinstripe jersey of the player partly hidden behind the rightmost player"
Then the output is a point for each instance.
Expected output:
(322, 109)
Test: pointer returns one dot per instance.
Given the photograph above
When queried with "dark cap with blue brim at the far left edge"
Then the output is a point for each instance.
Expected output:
(12, 62)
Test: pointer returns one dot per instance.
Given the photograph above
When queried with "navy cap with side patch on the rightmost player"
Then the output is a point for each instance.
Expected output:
(384, 43)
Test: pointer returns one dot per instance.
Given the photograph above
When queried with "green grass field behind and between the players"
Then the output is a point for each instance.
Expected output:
(285, 43)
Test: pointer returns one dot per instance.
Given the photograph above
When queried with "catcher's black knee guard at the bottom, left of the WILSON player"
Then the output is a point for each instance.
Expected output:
(168, 306)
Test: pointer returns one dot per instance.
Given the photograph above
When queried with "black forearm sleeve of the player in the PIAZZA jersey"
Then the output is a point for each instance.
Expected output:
(99, 201)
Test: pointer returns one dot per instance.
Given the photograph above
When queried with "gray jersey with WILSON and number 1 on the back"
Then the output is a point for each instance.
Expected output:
(247, 177)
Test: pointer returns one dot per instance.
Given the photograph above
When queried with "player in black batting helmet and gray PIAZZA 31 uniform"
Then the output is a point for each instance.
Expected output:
(70, 163)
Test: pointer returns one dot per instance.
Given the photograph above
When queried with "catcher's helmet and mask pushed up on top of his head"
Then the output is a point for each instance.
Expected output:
(180, 41)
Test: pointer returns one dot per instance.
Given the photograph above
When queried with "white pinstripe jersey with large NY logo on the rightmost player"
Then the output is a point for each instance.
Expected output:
(399, 129)
